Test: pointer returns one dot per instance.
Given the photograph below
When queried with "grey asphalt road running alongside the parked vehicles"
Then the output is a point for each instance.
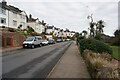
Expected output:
(32, 63)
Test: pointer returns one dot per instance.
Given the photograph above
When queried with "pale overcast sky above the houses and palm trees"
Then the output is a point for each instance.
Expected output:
(72, 14)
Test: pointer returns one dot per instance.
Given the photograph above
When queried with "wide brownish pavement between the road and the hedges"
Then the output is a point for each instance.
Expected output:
(70, 65)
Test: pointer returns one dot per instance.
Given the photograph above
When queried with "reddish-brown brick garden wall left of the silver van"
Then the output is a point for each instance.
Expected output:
(12, 39)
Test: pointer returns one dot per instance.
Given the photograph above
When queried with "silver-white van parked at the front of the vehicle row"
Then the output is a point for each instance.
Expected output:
(33, 41)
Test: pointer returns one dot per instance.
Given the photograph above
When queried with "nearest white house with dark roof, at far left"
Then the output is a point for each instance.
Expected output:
(11, 16)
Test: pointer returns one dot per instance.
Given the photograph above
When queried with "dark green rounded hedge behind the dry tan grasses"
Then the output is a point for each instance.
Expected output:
(94, 45)
